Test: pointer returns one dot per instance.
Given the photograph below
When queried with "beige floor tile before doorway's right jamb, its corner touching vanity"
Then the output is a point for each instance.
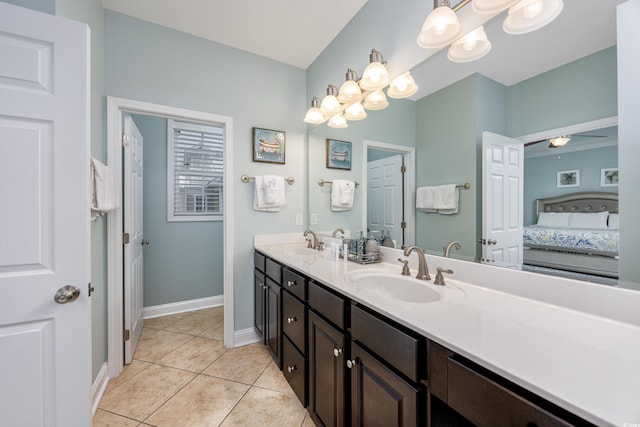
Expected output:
(242, 364)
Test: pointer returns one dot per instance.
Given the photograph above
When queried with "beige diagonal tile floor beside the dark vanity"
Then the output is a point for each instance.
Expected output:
(182, 375)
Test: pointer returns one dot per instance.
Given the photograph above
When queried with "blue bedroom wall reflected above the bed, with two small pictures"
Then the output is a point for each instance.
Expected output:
(540, 175)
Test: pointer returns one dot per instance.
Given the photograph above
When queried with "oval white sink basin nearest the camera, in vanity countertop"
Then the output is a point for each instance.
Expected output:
(401, 288)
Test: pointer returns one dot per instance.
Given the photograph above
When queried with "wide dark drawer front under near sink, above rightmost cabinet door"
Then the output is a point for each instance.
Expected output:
(403, 351)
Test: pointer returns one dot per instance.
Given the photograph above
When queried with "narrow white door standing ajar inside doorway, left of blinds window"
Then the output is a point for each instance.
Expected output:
(133, 224)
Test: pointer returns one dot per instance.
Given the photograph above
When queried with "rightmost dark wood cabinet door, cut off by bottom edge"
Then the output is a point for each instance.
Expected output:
(379, 397)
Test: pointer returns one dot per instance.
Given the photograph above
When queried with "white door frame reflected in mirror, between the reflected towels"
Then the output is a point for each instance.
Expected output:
(409, 184)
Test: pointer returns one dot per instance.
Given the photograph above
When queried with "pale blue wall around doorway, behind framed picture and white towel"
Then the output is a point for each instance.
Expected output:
(150, 63)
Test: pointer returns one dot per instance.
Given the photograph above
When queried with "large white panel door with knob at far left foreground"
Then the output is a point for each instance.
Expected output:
(45, 369)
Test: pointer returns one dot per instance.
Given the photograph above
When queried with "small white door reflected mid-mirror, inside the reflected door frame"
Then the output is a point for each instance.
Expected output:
(384, 196)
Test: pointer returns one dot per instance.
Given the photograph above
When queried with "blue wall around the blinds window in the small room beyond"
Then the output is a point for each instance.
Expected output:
(184, 259)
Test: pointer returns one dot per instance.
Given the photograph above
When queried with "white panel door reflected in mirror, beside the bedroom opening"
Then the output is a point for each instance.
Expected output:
(502, 204)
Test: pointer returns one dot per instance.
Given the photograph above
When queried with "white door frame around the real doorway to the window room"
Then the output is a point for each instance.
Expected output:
(115, 108)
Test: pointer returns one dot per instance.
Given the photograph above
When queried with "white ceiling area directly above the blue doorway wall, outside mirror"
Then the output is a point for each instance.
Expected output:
(291, 31)
